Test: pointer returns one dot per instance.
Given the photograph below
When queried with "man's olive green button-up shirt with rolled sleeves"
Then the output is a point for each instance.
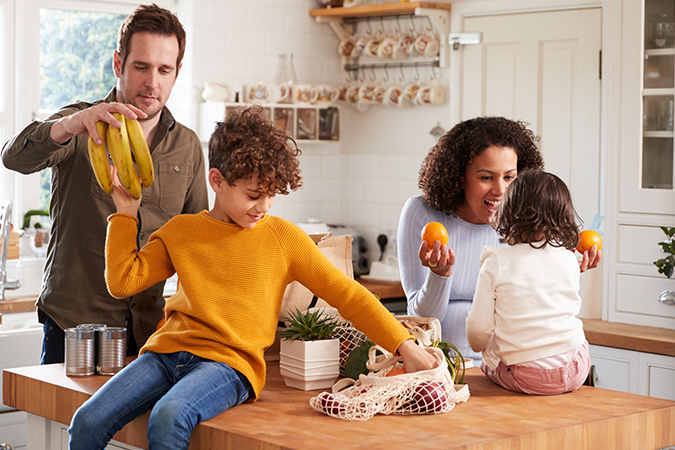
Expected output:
(73, 288)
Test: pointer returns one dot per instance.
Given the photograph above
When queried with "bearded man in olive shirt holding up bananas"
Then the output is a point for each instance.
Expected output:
(146, 63)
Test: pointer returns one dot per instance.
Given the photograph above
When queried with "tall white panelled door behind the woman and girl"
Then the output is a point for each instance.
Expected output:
(544, 68)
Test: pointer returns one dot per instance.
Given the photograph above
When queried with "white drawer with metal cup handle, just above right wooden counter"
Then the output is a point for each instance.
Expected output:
(639, 294)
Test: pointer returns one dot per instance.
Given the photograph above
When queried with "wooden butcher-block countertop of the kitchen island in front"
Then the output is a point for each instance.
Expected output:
(589, 418)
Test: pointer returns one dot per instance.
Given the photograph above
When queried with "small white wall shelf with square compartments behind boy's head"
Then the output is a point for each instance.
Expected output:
(310, 123)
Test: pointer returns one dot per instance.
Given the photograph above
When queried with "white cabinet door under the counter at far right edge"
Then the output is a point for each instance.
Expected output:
(657, 376)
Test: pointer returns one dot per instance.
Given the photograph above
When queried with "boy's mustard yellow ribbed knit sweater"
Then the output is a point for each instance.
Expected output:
(231, 284)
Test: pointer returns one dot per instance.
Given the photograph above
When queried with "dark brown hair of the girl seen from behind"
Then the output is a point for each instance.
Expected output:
(537, 207)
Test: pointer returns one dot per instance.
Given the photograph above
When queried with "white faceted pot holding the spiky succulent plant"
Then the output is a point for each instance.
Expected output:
(310, 365)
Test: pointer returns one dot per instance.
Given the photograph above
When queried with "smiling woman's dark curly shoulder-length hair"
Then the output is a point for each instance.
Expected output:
(440, 176)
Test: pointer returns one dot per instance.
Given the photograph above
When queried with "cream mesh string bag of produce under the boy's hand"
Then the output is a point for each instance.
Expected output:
(424, 392)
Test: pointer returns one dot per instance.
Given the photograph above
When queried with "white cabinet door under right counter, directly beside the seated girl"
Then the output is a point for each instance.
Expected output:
(616, 369)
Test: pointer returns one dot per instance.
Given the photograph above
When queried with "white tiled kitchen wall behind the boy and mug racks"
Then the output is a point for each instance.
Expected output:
(363, 180)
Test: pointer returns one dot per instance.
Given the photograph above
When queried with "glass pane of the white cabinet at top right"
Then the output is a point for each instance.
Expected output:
(658, 94)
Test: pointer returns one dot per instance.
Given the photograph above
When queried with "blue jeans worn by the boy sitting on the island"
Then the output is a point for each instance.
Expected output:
(182, 389)
